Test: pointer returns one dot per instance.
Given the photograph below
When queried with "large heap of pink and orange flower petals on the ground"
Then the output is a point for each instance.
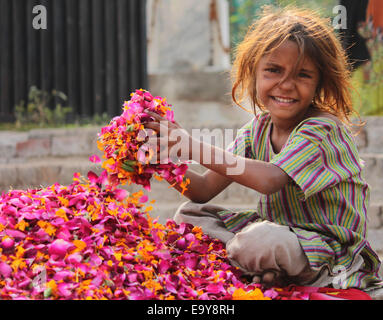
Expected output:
(85, 242)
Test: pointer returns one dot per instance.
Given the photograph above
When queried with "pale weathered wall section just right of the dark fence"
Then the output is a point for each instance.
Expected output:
(187, 35)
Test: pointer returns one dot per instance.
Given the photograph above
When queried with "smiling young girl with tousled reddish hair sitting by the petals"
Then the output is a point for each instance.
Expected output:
(310, 224)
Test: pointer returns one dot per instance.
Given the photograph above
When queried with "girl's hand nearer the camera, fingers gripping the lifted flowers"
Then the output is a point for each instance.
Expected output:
(172, 141)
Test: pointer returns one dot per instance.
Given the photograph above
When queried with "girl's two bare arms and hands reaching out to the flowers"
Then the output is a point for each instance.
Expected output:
(224, 167)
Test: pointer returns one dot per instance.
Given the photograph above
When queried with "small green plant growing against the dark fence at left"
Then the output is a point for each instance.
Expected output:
(37, 111)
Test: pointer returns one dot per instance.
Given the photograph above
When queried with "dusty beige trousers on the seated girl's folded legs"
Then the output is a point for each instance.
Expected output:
(260, 247)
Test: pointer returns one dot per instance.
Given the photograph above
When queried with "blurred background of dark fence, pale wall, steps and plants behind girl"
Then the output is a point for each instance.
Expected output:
(66, 70)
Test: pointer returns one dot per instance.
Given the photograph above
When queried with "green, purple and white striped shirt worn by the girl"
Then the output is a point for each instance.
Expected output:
(326, 202)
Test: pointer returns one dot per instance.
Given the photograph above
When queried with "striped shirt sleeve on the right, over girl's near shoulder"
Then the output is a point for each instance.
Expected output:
(318, 155)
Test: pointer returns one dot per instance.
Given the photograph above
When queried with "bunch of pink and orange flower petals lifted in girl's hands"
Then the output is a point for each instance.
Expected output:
(128, 158)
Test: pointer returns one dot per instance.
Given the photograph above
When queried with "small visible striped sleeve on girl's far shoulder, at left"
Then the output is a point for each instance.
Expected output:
(242, 144)
